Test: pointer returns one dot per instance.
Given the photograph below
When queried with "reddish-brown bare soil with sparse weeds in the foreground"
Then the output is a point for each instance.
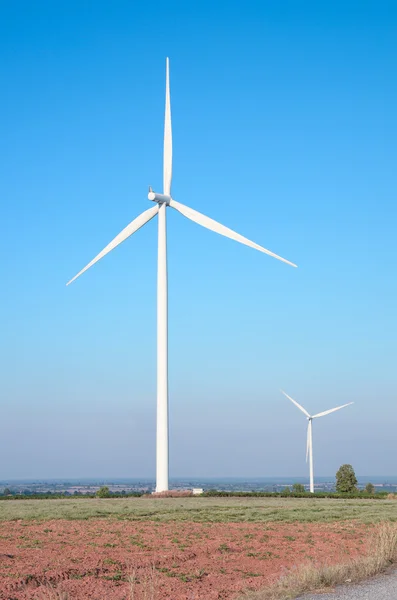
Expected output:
(83, 560)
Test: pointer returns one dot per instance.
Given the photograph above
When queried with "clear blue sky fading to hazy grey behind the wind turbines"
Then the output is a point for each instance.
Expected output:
(284, 127)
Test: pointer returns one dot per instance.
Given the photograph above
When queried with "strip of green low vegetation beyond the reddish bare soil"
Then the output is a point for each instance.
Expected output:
(203, 509)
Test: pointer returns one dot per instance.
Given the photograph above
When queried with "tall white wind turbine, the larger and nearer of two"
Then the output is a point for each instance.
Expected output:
(162, 202)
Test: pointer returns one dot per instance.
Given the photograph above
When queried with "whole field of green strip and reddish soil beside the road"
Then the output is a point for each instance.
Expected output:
(178, 550)
